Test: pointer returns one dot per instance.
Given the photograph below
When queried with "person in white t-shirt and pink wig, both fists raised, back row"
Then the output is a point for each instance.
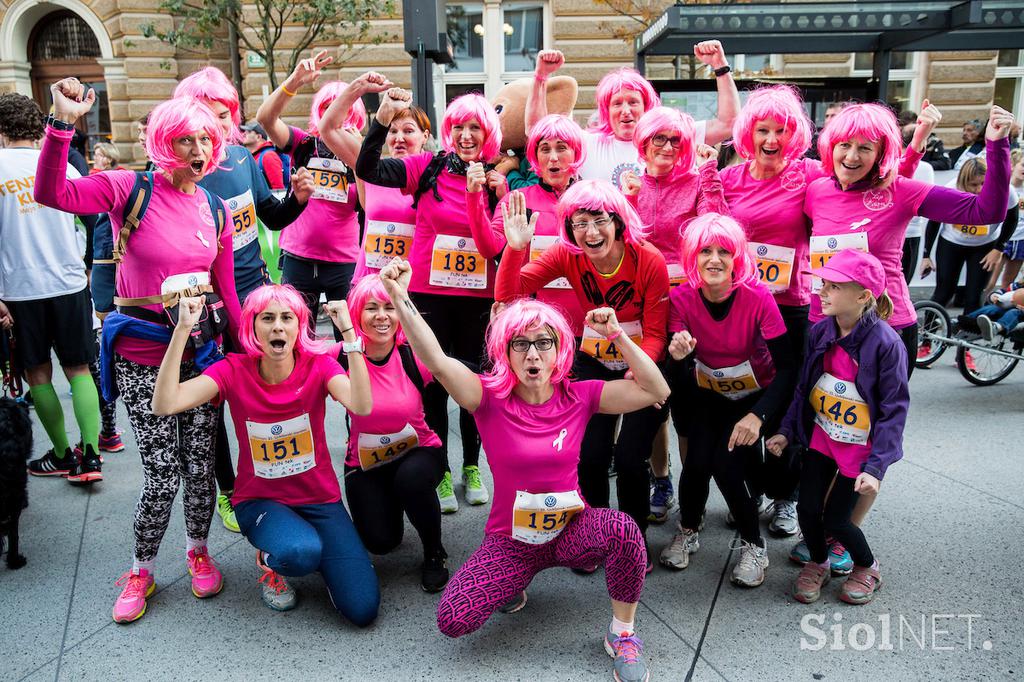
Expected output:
(623, 97)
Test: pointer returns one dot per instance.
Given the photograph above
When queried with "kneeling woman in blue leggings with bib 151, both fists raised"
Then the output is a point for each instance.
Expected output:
(287, 497)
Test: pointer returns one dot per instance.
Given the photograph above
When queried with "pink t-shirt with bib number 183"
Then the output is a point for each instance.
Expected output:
(442, 245)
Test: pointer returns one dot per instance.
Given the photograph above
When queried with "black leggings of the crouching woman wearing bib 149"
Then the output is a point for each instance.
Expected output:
(377, 499)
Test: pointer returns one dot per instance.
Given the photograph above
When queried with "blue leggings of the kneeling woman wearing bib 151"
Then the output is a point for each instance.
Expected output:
(308, 538)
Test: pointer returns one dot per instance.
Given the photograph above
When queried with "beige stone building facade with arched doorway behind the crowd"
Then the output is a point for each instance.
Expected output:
(102, 42)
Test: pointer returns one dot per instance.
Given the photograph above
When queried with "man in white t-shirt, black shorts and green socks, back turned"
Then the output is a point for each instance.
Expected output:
(46, 295)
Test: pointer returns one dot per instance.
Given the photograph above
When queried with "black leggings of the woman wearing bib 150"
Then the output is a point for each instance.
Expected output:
(709, 457)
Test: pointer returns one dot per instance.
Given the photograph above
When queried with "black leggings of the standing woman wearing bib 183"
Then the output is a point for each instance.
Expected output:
(459, 323)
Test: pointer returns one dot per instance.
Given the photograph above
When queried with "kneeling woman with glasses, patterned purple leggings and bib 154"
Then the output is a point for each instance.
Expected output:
(532, 421)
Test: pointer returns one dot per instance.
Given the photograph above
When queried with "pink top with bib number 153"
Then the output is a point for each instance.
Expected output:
(390, 226)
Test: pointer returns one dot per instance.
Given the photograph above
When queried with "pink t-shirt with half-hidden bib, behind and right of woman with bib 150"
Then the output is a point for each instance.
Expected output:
(772, 212)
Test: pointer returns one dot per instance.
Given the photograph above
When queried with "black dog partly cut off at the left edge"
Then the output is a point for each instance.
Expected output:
(16, 448)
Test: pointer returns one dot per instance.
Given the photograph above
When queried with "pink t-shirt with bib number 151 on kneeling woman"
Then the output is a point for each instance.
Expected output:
(283, 453)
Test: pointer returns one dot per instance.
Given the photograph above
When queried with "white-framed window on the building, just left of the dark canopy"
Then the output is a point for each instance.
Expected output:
(483, 62)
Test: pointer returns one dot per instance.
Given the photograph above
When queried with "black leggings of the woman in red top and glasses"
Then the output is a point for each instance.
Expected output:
(631, 452)
